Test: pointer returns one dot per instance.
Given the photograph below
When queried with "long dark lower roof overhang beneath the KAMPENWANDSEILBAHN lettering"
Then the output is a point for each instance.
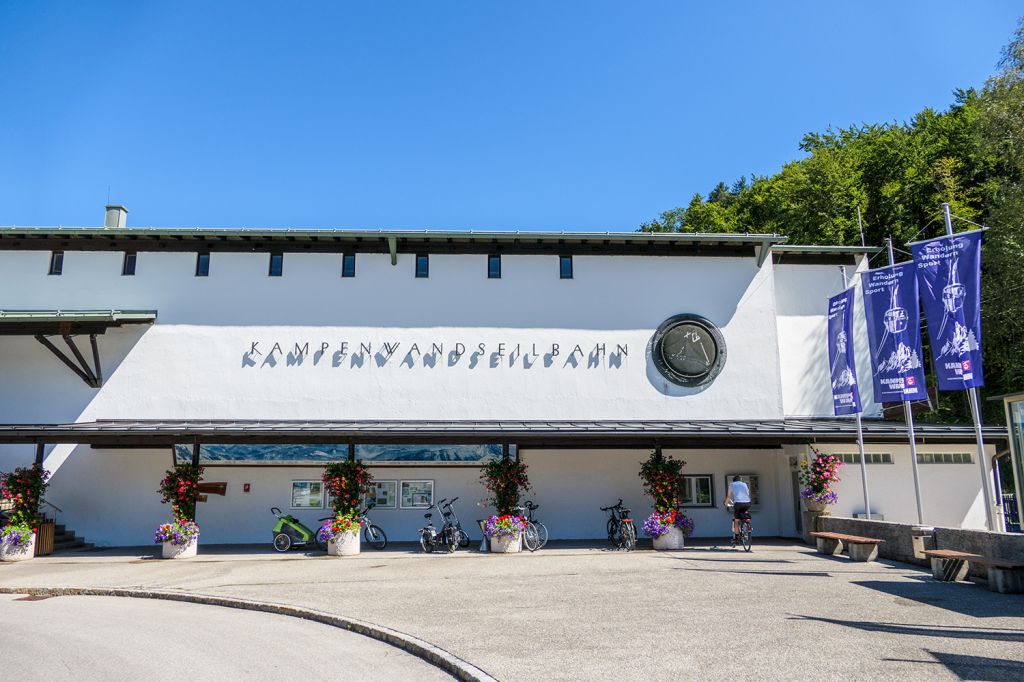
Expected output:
(148, 434)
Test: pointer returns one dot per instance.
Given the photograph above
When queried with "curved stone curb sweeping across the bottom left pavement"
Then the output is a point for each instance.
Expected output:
(438, 657)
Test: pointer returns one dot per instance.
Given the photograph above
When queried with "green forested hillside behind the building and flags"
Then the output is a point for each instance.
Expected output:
(898, 175)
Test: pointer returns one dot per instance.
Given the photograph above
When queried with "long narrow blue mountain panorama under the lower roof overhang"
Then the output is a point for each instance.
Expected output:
(335, 452)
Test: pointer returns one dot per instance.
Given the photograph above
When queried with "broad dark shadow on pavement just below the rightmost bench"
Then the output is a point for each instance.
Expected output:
(966, 600)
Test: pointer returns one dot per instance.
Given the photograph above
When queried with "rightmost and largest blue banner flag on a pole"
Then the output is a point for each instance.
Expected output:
(950, 274)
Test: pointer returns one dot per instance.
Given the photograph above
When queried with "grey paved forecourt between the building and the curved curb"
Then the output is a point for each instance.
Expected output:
(585, 613)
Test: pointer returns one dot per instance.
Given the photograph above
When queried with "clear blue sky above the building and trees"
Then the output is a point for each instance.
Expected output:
(578, 116)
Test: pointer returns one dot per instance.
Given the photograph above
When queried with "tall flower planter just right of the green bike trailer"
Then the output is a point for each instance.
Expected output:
(348, 483)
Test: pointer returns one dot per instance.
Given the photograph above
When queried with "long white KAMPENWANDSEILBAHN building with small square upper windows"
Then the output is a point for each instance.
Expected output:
(118, 344)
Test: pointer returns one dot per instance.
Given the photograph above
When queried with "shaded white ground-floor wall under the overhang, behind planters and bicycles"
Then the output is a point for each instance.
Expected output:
(110, 496)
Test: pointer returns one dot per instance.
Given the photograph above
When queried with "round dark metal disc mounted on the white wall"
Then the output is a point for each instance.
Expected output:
(689, 351)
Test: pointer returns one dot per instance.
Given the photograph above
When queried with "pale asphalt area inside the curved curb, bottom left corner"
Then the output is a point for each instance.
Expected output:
(112, 638)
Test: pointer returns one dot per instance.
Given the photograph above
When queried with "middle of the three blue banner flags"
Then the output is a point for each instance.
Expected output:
(894, 333)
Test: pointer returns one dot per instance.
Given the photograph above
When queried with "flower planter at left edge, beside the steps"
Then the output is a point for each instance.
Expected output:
(23, 490)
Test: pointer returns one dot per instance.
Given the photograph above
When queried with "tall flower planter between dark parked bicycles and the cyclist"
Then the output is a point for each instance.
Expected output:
(663, 481)
